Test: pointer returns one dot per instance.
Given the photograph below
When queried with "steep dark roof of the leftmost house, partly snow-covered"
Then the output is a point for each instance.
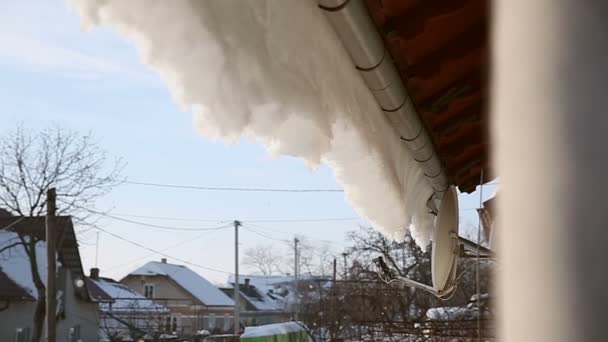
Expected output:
(14, 262)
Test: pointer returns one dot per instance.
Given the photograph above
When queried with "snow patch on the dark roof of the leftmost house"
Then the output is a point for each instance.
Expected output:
(14, 262)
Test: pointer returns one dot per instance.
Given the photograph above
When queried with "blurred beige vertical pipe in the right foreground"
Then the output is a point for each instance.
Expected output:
(550, 85)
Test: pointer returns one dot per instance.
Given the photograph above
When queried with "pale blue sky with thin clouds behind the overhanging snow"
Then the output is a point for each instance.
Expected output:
(53, 72)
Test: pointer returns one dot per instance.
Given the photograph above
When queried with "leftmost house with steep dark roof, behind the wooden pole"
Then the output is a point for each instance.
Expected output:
(77, 314)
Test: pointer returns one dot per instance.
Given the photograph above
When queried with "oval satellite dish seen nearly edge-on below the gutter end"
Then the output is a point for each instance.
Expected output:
(445, 245)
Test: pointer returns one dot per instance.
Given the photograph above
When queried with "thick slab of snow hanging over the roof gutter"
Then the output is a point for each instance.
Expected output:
(275, 71)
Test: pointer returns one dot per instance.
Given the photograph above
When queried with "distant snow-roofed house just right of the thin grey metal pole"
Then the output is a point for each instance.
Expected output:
(262, 299)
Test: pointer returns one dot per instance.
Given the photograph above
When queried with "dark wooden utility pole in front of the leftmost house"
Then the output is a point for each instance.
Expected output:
(51, 264)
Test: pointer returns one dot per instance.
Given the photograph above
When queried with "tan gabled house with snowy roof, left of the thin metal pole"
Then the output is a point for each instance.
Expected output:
(195, 304)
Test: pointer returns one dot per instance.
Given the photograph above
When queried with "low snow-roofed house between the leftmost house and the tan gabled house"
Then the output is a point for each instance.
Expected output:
(125, 314)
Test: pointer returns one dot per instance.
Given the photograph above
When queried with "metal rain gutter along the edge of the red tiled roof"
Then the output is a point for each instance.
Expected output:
(353, 24)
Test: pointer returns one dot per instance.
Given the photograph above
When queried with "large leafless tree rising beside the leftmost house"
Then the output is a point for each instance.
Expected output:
(33, 162)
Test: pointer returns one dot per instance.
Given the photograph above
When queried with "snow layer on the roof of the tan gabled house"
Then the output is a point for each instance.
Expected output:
(191, 281)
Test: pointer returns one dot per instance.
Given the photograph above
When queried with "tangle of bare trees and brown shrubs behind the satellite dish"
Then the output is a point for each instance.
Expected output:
(359, 302)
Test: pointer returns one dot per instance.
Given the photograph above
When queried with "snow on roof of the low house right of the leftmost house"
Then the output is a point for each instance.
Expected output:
(124, 298)
